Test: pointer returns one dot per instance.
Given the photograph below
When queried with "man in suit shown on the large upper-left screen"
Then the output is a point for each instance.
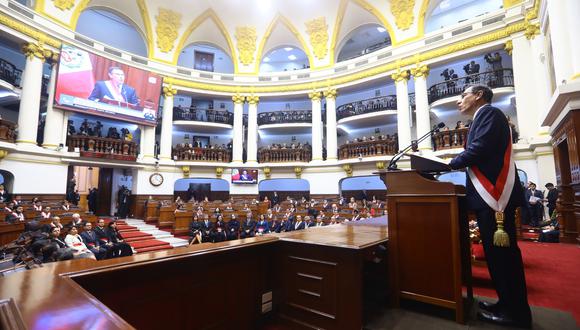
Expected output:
(114, 89)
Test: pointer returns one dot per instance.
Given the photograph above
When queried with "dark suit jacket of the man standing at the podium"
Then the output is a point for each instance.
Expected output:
(487, 140)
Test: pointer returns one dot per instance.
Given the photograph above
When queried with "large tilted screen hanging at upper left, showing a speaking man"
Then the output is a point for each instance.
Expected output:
(96, 85)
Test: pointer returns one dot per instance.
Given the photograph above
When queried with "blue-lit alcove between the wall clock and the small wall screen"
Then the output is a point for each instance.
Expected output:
(199, 188)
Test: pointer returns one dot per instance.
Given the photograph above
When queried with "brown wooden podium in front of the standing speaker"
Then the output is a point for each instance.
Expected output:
(428, 241)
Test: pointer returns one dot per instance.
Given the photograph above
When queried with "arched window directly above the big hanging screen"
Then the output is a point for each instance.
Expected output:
(112, 29)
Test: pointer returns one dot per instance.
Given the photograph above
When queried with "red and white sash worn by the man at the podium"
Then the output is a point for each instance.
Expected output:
(496, 196)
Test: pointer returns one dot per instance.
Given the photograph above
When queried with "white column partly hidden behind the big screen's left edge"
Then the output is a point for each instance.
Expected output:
(53, 122)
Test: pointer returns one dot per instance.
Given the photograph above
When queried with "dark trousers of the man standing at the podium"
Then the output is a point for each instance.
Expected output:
(505, 264)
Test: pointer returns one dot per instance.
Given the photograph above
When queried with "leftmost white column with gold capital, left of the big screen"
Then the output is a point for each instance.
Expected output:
(31, 89)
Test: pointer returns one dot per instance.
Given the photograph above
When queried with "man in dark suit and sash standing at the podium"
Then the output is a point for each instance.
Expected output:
(493, 193)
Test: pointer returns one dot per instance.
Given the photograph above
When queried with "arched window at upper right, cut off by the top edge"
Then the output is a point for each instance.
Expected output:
(444, 13)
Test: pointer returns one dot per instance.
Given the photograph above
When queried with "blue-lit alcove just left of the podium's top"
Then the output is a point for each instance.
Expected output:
(361, 186)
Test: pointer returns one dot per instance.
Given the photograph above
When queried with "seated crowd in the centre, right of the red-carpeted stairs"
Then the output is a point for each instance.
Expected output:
(222, 223)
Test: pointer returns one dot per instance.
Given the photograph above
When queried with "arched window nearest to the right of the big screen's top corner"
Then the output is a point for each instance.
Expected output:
(205, 57)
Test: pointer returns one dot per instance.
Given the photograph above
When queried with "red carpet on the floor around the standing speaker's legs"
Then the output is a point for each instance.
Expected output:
(552, 273)
